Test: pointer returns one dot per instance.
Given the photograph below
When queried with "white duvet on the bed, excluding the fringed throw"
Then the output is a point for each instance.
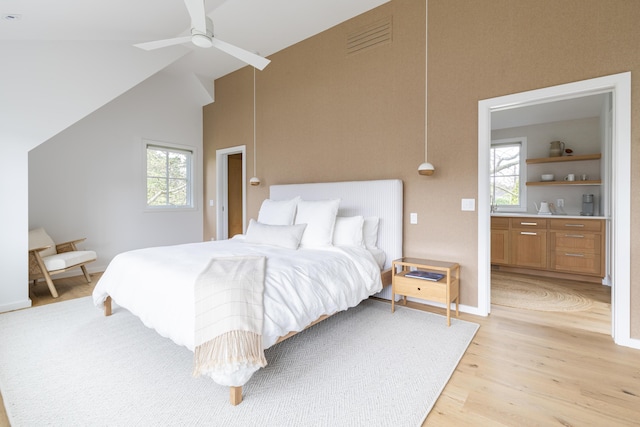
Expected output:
(157, 285)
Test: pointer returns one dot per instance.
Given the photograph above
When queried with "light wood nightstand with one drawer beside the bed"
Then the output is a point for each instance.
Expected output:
(445, 290)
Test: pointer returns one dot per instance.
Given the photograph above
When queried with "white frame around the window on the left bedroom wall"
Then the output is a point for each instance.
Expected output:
(191, 153)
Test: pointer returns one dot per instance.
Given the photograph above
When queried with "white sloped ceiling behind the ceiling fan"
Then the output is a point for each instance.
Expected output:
(62, 60)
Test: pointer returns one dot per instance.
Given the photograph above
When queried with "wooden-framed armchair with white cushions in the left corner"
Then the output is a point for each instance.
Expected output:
(46, 258)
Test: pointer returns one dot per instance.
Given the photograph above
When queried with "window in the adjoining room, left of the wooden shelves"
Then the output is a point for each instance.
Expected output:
(507, 174)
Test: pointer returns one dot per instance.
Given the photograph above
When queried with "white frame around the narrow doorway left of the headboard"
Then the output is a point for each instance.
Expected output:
(222, 189)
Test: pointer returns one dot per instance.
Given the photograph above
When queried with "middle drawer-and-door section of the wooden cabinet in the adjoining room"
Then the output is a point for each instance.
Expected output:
(529, 242)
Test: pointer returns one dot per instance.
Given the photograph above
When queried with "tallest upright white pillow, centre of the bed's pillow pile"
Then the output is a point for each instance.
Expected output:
(320, 217)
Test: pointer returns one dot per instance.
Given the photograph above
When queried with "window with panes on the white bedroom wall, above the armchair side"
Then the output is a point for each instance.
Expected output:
(169, 177)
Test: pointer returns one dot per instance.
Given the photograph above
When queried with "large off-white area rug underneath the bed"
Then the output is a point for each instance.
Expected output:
(65, 364)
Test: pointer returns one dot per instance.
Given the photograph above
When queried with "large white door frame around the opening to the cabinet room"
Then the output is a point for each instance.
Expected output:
(619, 85)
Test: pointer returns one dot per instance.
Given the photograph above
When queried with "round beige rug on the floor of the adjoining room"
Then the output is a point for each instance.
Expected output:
(532, 293)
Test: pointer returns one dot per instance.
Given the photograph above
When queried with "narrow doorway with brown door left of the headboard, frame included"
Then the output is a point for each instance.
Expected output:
(230, 191)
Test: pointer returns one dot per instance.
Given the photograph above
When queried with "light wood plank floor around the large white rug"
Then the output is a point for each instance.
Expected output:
(523, 368)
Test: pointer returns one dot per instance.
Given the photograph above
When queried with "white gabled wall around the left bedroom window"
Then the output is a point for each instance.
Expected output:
(88, 181)
